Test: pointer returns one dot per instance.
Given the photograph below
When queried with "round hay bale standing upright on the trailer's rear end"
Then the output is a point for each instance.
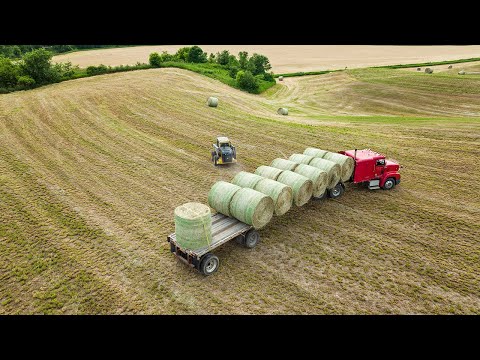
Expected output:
(193, 225)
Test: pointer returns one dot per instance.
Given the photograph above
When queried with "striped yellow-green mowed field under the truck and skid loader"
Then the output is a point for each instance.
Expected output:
(92, 169)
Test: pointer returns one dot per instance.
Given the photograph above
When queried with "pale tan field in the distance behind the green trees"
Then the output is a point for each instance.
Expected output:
(289, 58)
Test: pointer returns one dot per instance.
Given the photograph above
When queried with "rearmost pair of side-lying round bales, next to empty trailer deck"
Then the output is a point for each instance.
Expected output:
(247, 205)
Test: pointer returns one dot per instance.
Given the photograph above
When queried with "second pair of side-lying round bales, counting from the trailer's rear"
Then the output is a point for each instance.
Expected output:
(281, 194)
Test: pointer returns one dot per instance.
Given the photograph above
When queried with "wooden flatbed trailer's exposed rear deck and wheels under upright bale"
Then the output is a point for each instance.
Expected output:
(224, 229)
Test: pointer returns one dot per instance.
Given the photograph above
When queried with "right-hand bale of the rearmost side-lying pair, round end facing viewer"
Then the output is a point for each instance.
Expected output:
(252, 207)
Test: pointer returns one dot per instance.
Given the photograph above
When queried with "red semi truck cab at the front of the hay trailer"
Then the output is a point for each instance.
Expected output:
(373, 168)
